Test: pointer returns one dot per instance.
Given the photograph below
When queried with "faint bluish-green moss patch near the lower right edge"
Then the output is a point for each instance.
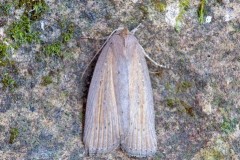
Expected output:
(228, 125)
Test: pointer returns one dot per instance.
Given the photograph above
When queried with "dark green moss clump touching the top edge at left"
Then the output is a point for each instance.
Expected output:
(34, 9)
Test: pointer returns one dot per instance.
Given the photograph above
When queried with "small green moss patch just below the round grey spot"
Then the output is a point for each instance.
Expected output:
(53, 49)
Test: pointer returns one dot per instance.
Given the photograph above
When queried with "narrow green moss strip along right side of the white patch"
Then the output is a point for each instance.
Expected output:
(183, 5)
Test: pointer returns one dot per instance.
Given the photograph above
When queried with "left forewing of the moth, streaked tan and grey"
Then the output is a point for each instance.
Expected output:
(102, 124)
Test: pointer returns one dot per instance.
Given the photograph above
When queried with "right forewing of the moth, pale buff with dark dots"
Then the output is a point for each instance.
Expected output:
(140, 139)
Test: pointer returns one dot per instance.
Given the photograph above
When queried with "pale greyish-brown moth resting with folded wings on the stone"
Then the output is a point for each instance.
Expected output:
(119, 110)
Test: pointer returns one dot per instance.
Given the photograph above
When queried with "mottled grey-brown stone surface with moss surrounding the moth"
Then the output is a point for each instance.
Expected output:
(44, 51)
